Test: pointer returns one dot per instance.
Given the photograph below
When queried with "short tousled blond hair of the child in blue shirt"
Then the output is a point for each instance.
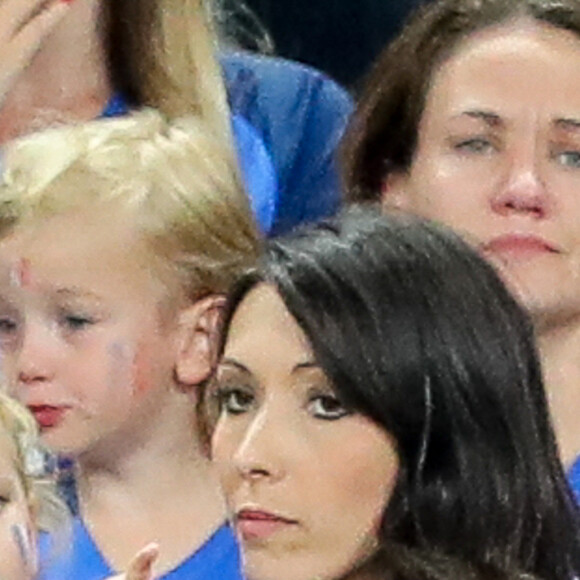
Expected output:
(173, 179)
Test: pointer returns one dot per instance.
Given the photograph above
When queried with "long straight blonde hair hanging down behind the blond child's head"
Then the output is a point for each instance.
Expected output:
(163, 55)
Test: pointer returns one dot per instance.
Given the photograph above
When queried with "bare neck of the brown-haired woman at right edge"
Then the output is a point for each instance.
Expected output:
(560, 353)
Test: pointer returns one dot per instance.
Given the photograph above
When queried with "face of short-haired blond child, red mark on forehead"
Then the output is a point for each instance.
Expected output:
(85, 342)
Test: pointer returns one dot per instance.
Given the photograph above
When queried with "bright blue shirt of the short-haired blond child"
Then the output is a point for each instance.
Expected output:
(217, 558)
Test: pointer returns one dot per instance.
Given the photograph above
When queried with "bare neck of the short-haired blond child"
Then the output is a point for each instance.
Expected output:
(163, 490)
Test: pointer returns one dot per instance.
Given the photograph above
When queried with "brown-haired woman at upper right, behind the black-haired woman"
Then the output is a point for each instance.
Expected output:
(472, 118)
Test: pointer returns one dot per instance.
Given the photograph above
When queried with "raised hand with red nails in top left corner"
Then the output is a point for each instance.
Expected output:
(24, 24)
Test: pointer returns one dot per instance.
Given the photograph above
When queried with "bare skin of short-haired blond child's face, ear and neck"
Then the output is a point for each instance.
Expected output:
(64, 348)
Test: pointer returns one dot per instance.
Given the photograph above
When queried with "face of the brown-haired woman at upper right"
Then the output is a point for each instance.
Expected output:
(498, 158)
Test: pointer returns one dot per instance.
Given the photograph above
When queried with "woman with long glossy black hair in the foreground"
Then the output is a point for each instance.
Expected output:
(378, 413)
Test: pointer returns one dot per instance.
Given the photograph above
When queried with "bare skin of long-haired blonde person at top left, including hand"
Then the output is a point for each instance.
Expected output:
(42, 80)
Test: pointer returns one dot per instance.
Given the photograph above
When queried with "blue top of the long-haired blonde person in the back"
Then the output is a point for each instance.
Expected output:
(287, 121)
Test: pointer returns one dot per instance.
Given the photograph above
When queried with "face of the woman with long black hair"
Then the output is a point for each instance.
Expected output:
(306, 481)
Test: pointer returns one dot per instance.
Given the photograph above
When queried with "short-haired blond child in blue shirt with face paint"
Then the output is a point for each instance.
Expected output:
(117, 240)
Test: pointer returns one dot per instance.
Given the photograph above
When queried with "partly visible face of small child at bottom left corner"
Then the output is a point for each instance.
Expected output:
(17, 542)
